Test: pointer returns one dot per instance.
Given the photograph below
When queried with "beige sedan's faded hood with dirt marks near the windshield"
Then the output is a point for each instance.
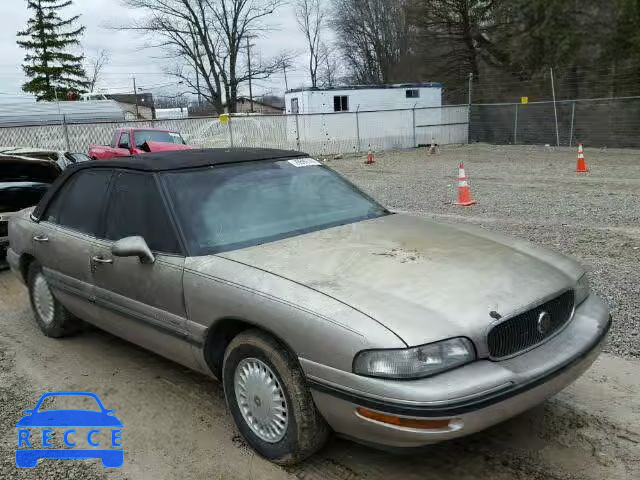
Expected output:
(423, 280)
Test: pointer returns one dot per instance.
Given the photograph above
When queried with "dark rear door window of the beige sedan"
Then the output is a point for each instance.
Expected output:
(79, 203)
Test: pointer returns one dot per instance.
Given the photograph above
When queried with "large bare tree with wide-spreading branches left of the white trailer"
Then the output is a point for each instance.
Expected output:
(206, 37)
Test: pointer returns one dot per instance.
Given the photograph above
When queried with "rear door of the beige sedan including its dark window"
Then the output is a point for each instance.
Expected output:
(66, 235)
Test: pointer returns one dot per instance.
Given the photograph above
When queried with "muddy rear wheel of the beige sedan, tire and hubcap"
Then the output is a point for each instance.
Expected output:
(54, 320)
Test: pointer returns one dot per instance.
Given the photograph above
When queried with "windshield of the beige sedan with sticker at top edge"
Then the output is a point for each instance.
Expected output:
(229, 207)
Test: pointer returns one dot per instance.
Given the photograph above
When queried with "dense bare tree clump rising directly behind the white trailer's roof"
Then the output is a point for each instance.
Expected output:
(373, 36)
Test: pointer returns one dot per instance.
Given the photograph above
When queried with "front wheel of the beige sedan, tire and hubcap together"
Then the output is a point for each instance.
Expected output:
(268, 397)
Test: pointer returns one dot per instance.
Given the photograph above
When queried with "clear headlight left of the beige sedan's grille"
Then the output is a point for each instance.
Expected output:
(415, 362)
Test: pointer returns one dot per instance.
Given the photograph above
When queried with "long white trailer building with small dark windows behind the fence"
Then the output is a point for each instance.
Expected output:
(378, 117)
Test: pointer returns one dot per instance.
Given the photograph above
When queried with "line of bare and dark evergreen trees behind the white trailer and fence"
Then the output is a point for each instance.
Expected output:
(506, 47)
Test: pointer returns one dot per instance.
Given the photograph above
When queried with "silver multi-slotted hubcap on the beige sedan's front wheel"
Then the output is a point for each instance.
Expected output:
(261, 400)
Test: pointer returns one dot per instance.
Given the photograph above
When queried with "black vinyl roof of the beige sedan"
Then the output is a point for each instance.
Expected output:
(165, 161)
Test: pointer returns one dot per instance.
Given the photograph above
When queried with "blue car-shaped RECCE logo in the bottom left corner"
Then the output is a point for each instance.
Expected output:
(27, 456)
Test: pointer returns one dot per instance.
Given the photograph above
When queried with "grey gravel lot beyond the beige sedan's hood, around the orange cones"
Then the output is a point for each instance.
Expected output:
(533, 193)
